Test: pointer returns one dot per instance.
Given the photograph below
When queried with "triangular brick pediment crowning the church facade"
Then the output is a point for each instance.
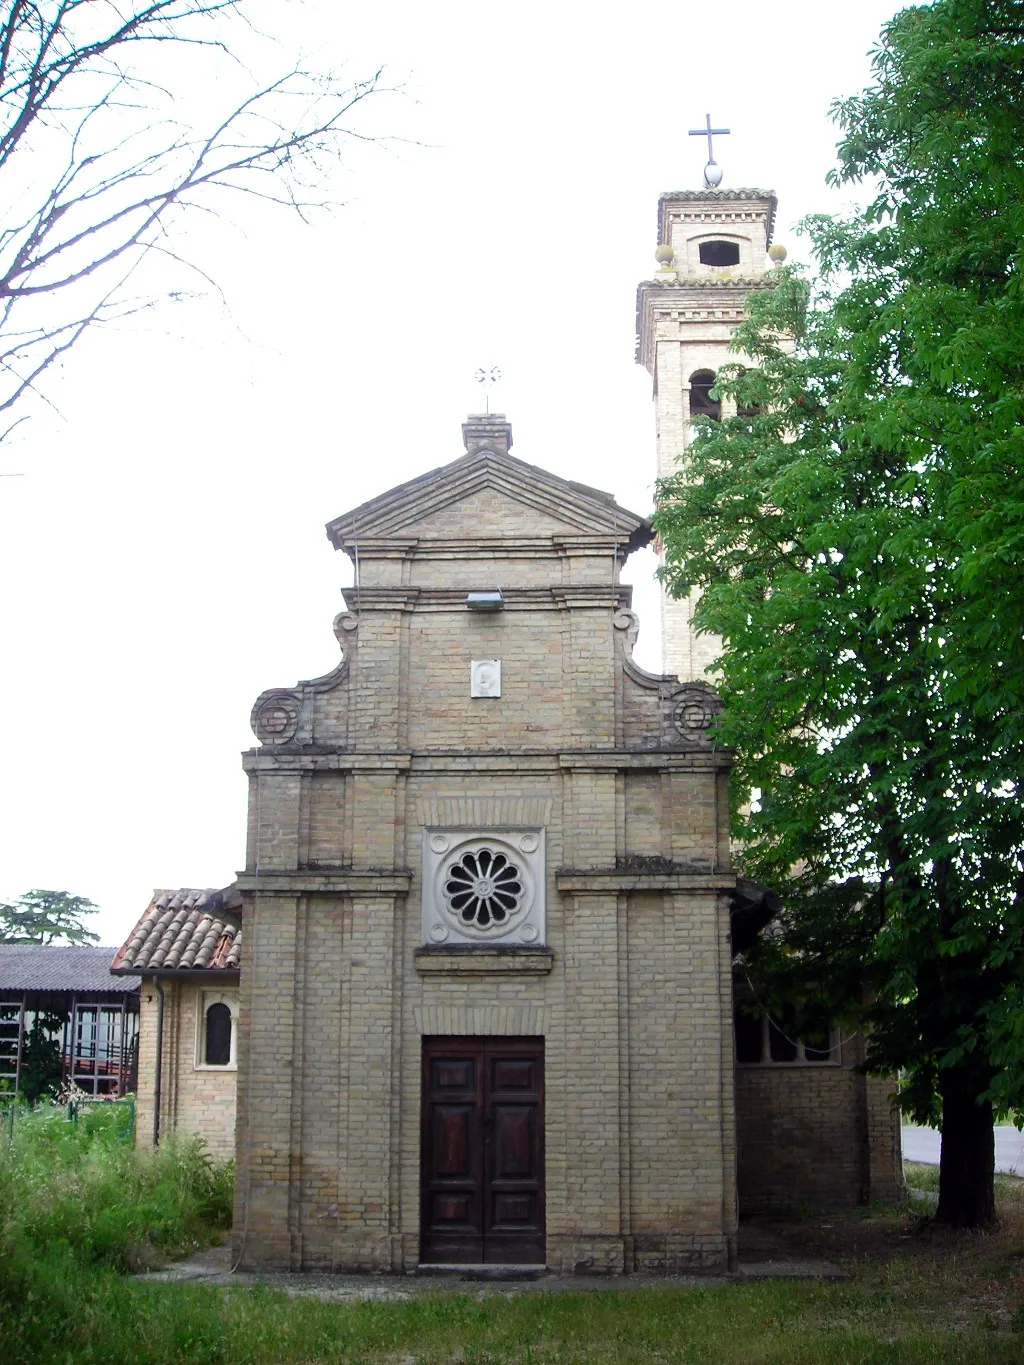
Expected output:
(489, 495)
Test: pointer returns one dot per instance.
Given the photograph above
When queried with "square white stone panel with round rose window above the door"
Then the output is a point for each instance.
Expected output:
(484, 888)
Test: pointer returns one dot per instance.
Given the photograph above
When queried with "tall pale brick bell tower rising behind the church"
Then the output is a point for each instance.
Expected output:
(713, 249)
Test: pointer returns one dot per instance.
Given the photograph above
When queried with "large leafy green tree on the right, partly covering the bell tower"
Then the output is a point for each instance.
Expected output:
(859, 545)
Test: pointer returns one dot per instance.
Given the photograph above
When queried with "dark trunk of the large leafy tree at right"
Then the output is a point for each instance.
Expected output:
(967, 1160)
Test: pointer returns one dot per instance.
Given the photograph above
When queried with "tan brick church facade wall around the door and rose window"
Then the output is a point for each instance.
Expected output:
(634, 994)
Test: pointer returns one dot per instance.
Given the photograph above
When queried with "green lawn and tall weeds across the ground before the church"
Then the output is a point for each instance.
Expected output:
(79, 1209)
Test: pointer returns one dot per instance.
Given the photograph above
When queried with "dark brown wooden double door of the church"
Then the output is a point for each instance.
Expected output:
(483, 1151)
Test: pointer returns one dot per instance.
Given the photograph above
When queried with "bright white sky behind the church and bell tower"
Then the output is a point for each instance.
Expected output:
(163, 558)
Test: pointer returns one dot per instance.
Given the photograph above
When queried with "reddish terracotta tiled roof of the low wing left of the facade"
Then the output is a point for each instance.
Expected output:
(192, 930)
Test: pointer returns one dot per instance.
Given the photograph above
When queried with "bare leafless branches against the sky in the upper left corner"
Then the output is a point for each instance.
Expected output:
(117, 119)
